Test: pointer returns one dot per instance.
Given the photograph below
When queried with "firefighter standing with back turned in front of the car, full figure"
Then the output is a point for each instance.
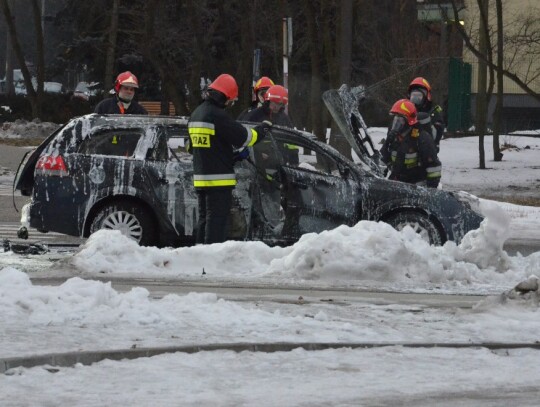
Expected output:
(213, 136)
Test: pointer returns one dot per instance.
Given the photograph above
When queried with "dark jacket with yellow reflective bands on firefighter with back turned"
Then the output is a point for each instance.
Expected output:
(213, 135)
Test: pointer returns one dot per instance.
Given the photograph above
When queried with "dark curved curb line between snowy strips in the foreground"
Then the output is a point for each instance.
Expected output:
(70, 359)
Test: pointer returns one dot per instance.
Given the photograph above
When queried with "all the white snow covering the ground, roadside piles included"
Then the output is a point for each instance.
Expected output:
(84, 314)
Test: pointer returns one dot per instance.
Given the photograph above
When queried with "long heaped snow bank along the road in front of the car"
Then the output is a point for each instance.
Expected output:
(368, 251)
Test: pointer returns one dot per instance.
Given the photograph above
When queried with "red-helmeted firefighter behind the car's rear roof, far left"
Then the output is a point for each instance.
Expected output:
(122, 102)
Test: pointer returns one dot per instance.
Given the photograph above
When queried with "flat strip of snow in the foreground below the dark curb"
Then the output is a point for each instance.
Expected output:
(392, 376)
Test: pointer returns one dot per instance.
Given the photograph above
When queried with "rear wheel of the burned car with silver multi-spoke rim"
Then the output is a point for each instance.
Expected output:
(130, 218)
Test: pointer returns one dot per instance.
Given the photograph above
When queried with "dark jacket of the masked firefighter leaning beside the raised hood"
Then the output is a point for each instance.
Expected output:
(412, 157)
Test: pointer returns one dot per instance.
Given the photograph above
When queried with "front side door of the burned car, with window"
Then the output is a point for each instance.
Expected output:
(317, 190)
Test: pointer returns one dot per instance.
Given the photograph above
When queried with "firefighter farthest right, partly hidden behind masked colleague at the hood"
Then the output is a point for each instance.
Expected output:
(419, 92)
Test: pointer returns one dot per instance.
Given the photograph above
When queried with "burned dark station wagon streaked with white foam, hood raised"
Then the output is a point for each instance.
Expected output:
(132, 173)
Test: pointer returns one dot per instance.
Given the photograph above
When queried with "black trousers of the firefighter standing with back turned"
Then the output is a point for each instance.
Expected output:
(214, 210)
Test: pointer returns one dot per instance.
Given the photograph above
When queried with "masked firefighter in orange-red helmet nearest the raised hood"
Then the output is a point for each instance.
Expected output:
(409, 151)
